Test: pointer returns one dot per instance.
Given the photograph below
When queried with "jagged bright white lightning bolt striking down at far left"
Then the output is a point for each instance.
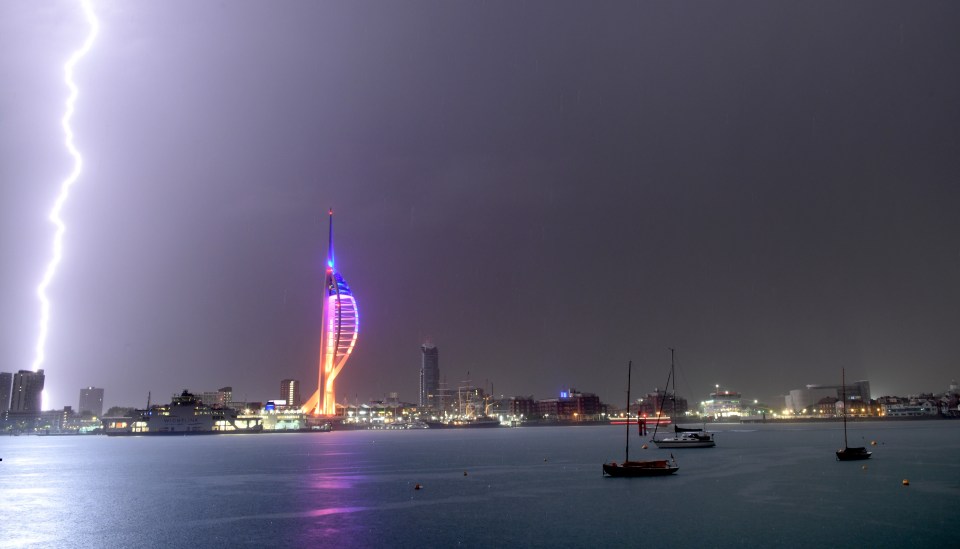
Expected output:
(54, 215)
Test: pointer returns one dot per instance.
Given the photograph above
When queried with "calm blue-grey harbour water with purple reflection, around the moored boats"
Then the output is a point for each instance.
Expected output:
(763, 485)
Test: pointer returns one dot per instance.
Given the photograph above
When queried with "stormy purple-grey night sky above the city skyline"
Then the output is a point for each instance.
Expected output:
(543, 189)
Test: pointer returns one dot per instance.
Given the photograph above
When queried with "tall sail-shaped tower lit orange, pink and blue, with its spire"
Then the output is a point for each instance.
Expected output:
(338, 335)
